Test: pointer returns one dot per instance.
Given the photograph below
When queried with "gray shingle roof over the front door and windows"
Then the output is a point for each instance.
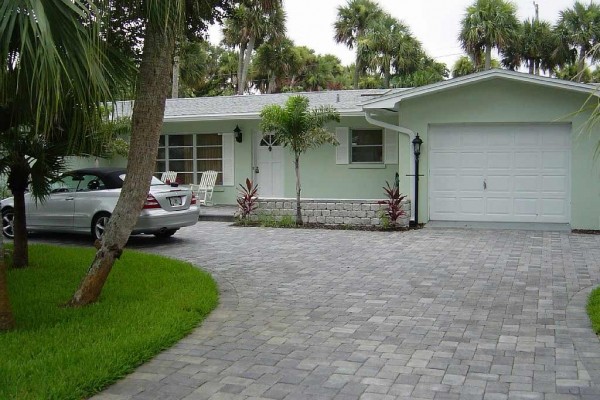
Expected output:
(345, 101)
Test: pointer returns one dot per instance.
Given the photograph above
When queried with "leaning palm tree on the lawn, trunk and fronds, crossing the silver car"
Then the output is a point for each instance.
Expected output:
(164, 23)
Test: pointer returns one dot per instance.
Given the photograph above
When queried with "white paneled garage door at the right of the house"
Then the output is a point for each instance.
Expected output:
(505, 173)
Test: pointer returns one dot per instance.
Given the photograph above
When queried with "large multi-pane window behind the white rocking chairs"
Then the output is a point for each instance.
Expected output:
(190, 155)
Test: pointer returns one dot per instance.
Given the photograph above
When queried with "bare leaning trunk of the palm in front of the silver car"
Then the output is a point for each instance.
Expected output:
(147, 122)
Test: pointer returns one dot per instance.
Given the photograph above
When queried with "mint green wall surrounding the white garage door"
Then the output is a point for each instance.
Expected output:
(503, 101)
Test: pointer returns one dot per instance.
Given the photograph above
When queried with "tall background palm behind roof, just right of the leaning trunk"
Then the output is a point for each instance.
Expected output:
(251, 23)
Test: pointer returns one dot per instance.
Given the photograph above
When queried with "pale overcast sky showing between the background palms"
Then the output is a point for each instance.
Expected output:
(434, 22)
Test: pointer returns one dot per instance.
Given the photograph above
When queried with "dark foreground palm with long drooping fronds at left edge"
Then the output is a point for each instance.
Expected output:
(48, 103)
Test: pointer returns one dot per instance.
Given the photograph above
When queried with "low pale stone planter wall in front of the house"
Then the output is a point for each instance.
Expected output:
(330, 212)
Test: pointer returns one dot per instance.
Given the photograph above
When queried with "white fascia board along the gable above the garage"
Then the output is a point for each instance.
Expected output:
(391, 101)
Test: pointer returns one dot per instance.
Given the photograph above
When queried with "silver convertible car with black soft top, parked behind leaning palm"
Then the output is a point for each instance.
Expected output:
(83, 200)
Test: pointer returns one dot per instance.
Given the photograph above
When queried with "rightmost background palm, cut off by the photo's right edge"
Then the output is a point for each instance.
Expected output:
(580, 27)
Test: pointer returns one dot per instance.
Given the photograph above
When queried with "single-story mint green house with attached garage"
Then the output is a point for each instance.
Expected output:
(498, 146)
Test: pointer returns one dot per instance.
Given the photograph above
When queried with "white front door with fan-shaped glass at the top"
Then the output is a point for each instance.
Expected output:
(269, 168)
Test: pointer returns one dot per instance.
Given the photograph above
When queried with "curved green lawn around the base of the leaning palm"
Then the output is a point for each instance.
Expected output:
(148, 303)
